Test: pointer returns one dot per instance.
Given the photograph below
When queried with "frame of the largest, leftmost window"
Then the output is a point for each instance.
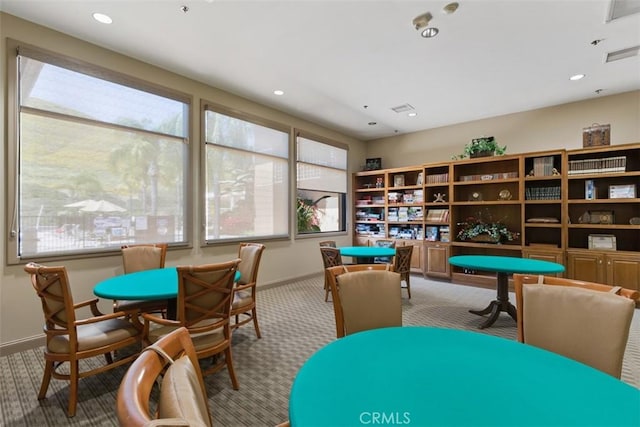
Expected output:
(15, 49)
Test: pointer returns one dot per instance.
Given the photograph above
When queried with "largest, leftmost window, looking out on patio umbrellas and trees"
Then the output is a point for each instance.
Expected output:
(98, 163)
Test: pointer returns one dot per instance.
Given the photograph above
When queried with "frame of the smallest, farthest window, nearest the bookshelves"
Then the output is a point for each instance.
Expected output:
(299, 133)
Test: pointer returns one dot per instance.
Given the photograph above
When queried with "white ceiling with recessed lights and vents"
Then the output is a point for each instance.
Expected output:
(344, 64)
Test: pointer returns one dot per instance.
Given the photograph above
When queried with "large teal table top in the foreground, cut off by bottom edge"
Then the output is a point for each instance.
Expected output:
(422, 376)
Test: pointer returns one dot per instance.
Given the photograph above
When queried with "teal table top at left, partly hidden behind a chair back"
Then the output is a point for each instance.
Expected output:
(155, 284)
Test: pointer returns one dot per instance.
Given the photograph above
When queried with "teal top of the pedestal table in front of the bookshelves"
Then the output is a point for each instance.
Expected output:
(503, 264)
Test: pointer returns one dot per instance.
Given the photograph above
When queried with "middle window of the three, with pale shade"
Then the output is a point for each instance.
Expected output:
(246, 178)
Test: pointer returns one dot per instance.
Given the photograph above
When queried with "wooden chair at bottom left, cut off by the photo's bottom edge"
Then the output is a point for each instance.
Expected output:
(172, 363)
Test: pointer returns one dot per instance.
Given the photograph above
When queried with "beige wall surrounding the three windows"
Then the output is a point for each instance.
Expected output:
(20, 313)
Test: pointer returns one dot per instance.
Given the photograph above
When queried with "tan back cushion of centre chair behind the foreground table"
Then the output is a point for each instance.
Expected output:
(370, 299)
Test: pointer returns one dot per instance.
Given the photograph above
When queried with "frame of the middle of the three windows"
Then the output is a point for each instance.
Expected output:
(206, 105)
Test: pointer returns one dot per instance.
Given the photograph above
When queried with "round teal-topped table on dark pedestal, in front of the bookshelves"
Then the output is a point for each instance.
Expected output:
(503, 266)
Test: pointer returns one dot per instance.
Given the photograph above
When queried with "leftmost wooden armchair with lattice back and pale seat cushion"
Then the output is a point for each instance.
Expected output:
(70, 339)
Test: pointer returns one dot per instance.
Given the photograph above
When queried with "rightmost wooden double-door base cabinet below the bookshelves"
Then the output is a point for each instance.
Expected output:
(612, 268)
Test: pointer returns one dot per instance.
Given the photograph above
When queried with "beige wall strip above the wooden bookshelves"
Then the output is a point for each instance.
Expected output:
(536, 130)
